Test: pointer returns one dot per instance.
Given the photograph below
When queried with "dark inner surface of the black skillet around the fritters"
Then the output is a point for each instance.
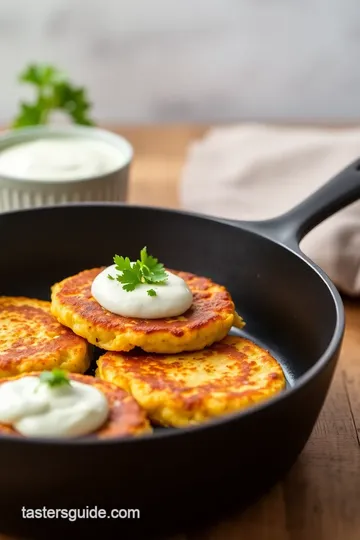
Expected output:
(287, 306)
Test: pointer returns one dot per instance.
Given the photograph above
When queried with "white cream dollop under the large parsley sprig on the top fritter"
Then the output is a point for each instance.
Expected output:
(172, 298)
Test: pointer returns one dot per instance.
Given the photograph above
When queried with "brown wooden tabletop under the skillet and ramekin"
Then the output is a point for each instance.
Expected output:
(320, 498)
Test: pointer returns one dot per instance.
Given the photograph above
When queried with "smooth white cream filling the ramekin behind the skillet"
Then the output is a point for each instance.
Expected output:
(60, 158)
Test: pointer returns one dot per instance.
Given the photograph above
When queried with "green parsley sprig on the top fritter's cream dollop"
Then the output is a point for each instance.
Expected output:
(147, 269)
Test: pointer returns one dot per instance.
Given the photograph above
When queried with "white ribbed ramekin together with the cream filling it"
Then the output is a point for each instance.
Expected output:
(50, 165)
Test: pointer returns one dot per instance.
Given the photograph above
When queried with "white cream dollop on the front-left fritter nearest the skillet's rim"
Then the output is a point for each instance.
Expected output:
(36, 409)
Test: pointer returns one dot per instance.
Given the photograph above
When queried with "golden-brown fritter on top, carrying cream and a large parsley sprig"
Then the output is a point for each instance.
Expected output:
(208, 320)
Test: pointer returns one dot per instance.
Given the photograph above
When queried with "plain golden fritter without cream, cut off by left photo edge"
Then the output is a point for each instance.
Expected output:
(31, 339)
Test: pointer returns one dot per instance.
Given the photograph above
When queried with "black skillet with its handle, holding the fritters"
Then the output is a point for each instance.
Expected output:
(176, 476)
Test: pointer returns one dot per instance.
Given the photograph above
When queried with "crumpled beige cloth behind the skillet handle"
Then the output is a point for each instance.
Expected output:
(252, 172)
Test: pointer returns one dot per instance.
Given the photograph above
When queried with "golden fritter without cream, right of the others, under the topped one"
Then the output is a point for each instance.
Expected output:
(190, 388)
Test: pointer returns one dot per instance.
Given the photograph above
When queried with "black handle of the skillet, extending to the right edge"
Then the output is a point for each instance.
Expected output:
(291, 227)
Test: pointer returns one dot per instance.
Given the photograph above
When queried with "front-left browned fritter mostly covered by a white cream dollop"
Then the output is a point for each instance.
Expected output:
(126, 417)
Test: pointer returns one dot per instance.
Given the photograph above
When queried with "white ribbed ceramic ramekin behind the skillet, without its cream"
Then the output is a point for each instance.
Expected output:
(18, 193)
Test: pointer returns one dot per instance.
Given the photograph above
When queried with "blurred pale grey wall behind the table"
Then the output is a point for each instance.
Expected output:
(192, 60)
